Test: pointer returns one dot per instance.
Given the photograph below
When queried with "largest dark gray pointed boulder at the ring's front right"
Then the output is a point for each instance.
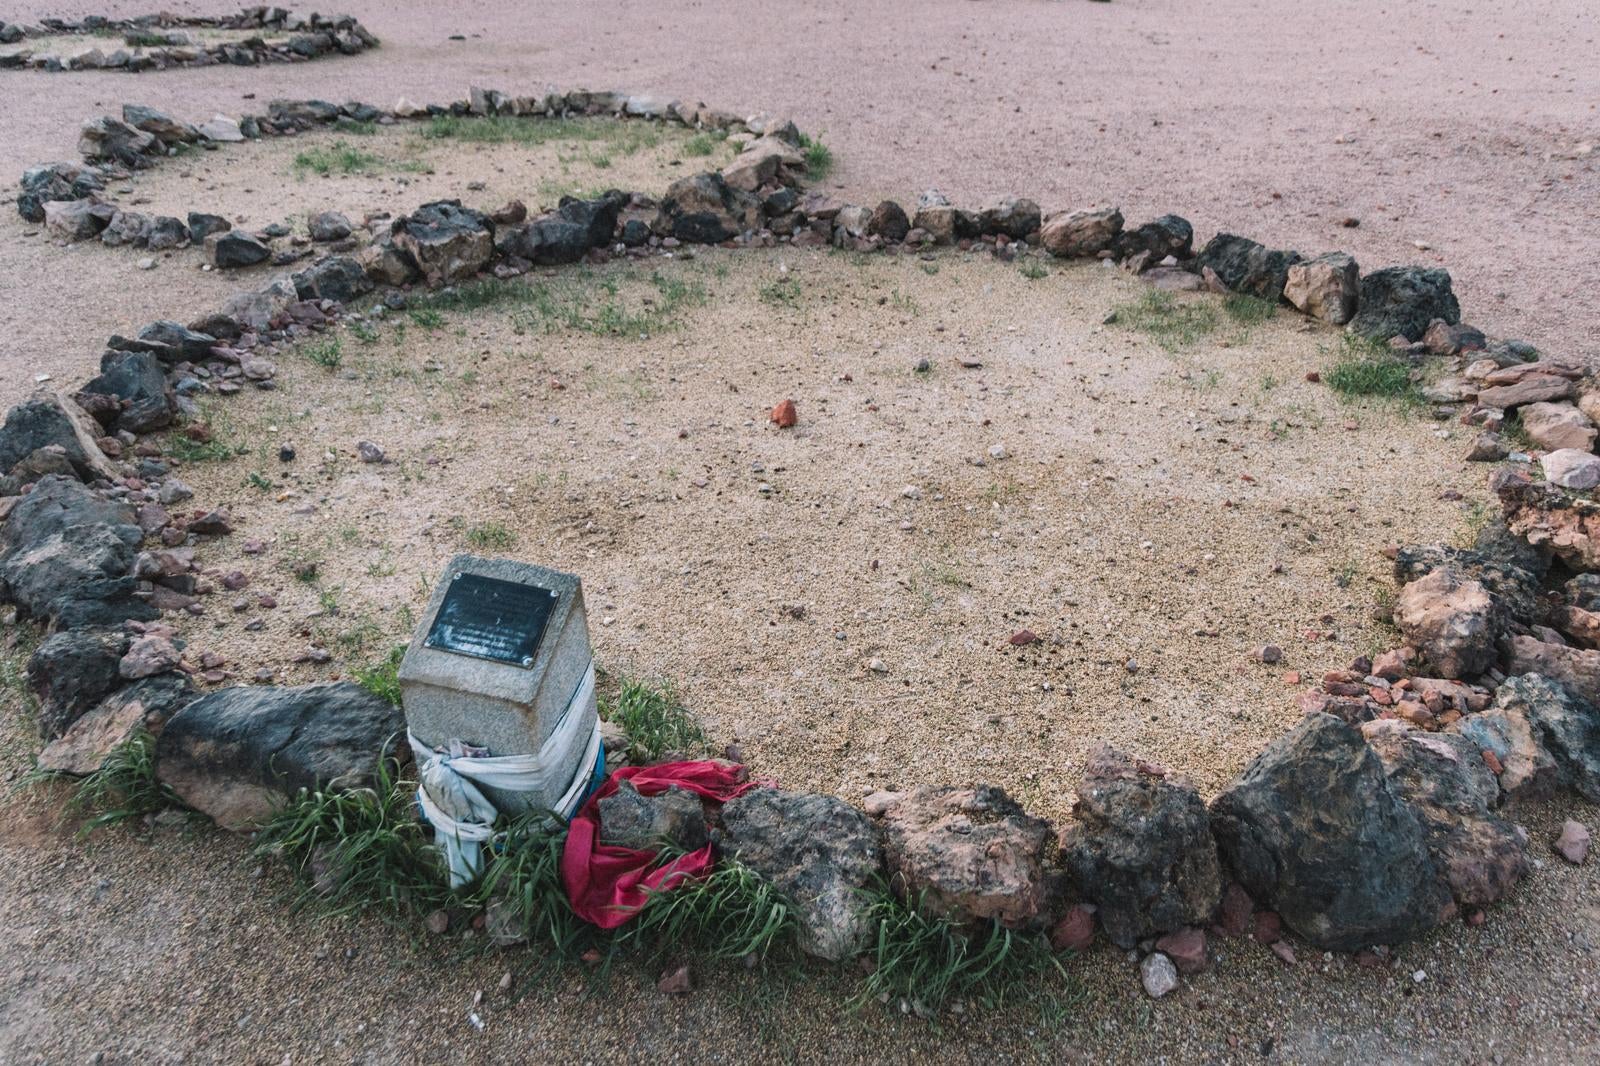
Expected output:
(1316, 832)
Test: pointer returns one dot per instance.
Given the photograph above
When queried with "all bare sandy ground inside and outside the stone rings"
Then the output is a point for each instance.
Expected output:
(172, 945)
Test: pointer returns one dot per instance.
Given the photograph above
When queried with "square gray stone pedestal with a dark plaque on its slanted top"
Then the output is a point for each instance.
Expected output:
(502, 667)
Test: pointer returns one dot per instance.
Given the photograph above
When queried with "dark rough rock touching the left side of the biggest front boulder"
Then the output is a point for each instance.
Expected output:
(1142, 849)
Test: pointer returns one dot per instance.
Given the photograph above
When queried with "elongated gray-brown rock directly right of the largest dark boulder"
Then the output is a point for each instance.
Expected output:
(1446, 779)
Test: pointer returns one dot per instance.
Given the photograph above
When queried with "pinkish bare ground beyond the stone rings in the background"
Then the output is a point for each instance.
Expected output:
(1450, 124)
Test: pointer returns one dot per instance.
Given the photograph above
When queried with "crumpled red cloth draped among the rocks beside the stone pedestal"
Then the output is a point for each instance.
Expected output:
(607, 884)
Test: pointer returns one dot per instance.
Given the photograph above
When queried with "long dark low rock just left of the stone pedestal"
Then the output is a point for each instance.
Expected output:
(241, 753)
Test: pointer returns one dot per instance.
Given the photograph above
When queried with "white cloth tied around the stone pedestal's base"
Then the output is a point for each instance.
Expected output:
(463, 819)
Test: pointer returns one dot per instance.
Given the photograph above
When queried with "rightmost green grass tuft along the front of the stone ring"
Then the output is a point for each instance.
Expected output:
(926, 961)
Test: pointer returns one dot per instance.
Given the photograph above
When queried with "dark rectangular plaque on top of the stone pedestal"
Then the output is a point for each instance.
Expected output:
(492, 620)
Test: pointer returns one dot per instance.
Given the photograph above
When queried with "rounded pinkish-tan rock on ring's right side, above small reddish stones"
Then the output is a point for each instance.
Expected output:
(1452, 620)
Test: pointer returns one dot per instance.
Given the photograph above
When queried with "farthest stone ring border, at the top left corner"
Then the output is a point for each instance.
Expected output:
(154, 42)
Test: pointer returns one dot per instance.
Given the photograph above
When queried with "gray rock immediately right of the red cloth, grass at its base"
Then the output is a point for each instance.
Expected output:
(820, 852)
